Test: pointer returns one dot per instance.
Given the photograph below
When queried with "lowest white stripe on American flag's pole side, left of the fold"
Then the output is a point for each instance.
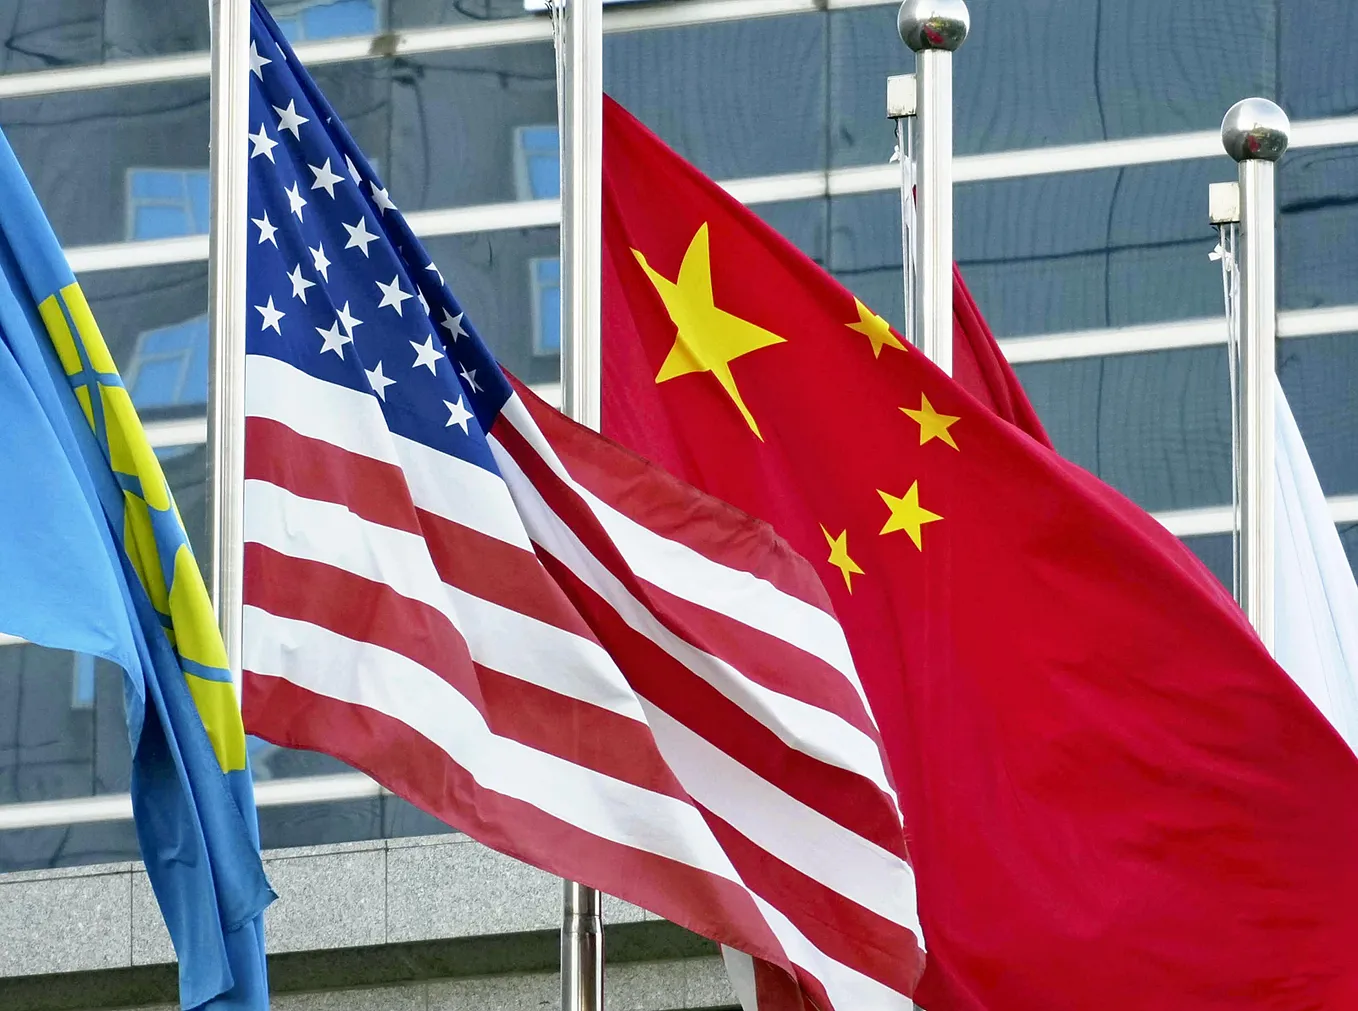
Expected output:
(370, 676)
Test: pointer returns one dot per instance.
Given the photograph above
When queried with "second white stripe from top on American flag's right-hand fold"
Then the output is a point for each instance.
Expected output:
(809, 729)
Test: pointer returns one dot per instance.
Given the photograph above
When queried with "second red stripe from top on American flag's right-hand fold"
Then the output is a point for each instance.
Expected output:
(815, 681)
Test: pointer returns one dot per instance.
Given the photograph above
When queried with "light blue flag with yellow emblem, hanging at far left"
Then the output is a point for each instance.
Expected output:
(94, 559)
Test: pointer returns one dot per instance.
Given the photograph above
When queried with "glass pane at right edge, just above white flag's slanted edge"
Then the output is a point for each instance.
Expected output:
(1321, 378)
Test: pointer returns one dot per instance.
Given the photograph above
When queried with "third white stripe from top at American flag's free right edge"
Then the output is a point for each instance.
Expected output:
(784, 827)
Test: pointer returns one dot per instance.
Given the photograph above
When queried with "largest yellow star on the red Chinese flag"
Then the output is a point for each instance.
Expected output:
(710, 339)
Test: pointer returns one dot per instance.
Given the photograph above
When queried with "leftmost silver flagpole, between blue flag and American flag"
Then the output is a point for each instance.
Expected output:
(227, 312)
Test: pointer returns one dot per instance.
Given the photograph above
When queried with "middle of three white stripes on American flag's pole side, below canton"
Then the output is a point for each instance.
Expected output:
(499, 638)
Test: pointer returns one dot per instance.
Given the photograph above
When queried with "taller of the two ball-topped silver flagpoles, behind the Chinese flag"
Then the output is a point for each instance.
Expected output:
(934, 29)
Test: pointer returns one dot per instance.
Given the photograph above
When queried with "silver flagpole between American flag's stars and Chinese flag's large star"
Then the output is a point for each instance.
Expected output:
(582, 281)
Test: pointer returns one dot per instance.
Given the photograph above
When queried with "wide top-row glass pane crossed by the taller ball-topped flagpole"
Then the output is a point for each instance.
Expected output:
(1059, 73)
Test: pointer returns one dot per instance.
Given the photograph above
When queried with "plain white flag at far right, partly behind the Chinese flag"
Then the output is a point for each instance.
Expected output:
(1317, 605)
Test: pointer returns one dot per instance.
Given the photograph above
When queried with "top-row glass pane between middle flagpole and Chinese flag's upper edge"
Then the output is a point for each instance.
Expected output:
(737, 99)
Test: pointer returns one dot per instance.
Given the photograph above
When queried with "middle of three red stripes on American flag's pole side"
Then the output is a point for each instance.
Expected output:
(540, 718)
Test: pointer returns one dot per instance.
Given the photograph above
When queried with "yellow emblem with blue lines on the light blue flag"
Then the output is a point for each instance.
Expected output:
(153, 532)
